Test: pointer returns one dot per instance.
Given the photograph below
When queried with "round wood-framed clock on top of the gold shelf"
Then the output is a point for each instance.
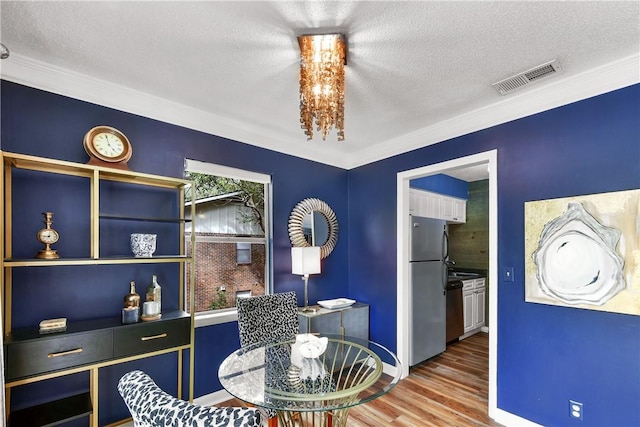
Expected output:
(107, 146)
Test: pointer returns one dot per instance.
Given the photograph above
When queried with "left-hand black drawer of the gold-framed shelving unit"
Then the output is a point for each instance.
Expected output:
(29, 358)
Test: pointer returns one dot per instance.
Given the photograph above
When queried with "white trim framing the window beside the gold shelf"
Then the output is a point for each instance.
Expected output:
(209, 318)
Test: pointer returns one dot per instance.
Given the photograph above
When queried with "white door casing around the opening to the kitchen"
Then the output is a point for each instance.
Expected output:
(488, 159)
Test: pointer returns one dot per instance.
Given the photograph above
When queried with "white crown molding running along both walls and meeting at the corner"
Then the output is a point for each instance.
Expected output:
(551, 94)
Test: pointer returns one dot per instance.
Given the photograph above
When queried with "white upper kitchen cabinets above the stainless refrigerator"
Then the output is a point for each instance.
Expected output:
(439, 206)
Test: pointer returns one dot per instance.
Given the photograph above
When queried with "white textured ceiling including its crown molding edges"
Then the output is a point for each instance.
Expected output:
(418, 72)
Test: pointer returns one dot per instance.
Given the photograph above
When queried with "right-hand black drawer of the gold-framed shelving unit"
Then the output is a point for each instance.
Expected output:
(151, 336)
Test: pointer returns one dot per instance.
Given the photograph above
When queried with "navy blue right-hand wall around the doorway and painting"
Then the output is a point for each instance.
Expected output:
(546, 354)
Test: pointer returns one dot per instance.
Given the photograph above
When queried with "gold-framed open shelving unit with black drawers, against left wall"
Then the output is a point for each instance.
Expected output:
(88, 344)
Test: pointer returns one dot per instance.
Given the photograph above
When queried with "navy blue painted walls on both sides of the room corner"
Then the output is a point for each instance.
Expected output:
(546, 355)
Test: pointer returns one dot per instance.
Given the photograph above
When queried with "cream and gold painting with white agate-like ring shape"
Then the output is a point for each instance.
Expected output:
(584, 252)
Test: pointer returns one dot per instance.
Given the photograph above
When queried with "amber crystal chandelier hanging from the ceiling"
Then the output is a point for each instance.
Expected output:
(322, 61)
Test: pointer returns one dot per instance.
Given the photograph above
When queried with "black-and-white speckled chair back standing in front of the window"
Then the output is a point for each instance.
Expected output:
(267, 318)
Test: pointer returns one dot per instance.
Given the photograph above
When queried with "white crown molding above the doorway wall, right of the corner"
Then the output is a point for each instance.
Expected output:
(606, 78)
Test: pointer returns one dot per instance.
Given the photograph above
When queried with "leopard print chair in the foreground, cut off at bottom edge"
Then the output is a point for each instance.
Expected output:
(152, 407)
